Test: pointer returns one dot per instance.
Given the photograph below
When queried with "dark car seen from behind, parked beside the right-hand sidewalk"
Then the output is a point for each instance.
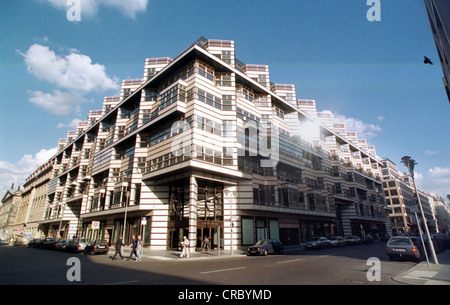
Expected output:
(404, 247)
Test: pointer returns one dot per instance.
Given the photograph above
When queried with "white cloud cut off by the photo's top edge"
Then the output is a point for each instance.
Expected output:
(89, 8)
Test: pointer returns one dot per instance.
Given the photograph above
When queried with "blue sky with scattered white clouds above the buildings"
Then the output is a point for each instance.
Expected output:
(59, 58)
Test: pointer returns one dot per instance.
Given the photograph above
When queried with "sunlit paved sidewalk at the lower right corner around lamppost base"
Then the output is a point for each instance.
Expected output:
(421, 274)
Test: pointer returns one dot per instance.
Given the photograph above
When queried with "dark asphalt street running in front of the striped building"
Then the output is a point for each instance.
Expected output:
(334, 266)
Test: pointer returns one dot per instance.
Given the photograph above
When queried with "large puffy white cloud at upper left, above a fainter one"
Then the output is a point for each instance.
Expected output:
(74, 71)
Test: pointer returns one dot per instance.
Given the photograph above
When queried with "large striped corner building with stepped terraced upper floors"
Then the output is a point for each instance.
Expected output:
(205, 145)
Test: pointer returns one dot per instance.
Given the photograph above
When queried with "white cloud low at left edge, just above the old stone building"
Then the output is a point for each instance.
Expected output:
(18, 172)
